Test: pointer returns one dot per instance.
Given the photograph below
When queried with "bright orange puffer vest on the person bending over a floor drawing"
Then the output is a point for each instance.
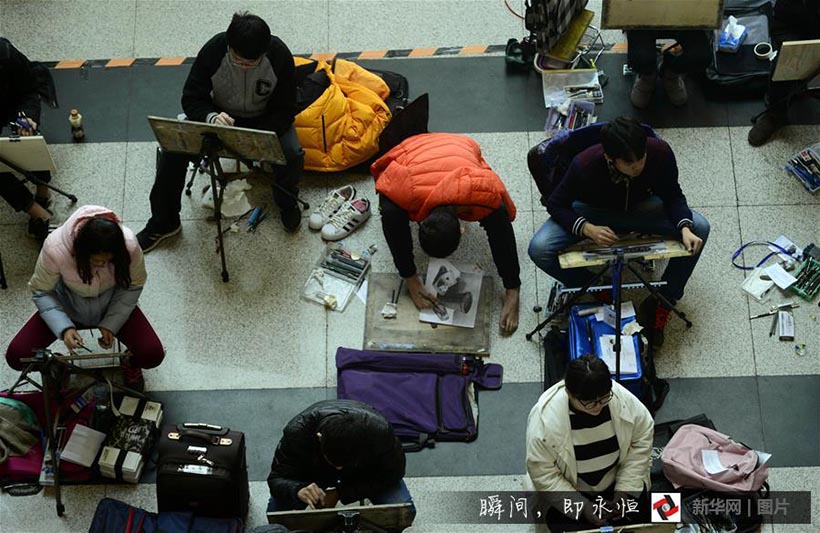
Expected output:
(440, 169)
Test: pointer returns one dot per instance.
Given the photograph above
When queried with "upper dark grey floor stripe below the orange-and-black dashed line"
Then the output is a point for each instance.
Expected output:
(470, 94)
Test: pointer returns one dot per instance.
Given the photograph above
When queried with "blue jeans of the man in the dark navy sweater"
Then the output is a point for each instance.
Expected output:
(647, 217)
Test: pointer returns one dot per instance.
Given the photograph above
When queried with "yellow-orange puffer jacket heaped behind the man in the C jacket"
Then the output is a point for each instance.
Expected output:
(341, 128)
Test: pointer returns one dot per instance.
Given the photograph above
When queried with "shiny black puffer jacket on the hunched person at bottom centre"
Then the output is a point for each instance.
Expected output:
(298, 460)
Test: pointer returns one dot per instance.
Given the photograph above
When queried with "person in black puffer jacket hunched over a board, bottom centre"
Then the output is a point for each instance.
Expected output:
(337, 450)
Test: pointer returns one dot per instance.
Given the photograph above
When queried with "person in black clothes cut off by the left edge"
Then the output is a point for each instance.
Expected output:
(20, 104)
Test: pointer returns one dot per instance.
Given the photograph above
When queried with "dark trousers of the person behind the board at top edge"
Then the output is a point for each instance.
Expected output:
(642, 54)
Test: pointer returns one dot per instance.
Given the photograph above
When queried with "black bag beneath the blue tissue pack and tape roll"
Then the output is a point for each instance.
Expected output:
(741, 75)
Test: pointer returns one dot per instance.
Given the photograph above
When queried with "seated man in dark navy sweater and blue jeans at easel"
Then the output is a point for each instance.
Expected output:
(628, 183)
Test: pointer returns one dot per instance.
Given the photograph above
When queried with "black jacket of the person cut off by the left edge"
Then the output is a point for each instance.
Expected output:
(18, 85)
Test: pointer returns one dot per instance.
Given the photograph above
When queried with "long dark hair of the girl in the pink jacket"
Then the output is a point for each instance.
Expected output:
(101, 236)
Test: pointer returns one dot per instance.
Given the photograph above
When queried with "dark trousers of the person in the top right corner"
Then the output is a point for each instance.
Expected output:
(792, 21)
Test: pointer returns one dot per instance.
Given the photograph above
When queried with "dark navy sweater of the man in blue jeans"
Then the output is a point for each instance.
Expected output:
(588, 181)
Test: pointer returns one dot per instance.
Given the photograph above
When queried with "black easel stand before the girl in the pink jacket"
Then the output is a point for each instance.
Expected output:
(53, 368)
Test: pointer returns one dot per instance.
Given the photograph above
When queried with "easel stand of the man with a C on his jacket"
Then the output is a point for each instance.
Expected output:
(209, 163)
